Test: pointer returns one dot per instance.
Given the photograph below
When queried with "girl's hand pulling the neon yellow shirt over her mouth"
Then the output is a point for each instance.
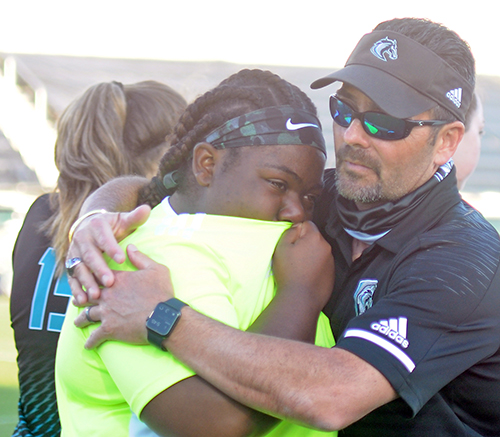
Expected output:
(303, 262)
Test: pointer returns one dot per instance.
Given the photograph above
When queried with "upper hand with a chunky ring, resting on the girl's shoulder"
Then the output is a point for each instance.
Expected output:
(97, 234)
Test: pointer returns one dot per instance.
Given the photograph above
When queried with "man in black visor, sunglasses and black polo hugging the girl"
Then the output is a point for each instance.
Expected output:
(415, 306)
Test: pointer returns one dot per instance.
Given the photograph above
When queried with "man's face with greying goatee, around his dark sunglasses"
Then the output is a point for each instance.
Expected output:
(372, 171)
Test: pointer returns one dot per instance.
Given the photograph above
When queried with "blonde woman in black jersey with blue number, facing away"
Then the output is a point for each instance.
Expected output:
(110, 131)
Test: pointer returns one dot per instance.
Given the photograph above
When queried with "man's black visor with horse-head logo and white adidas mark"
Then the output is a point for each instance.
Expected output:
(402, 77)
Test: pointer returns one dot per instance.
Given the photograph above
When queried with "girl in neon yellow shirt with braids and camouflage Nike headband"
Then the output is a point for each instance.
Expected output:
(246, 162)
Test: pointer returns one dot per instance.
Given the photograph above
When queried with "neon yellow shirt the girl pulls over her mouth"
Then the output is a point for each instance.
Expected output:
(220, 266)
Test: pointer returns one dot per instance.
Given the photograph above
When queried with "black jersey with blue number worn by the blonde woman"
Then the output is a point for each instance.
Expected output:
(38, 304)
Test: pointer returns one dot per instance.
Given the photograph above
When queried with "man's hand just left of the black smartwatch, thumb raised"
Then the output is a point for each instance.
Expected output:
(123, 308)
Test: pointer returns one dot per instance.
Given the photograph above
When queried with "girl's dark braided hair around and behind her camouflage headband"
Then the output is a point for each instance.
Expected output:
(243, 92)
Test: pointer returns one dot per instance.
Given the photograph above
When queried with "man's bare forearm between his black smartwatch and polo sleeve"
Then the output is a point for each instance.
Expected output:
(324, 388)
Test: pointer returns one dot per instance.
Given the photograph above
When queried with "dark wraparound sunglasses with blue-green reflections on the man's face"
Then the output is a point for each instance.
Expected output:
(377, 124)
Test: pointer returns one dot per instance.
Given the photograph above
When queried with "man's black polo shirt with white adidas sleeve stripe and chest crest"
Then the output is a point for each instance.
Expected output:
(422, 305)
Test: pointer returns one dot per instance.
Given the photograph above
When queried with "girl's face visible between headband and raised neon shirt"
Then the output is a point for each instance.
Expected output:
(276, 183)
